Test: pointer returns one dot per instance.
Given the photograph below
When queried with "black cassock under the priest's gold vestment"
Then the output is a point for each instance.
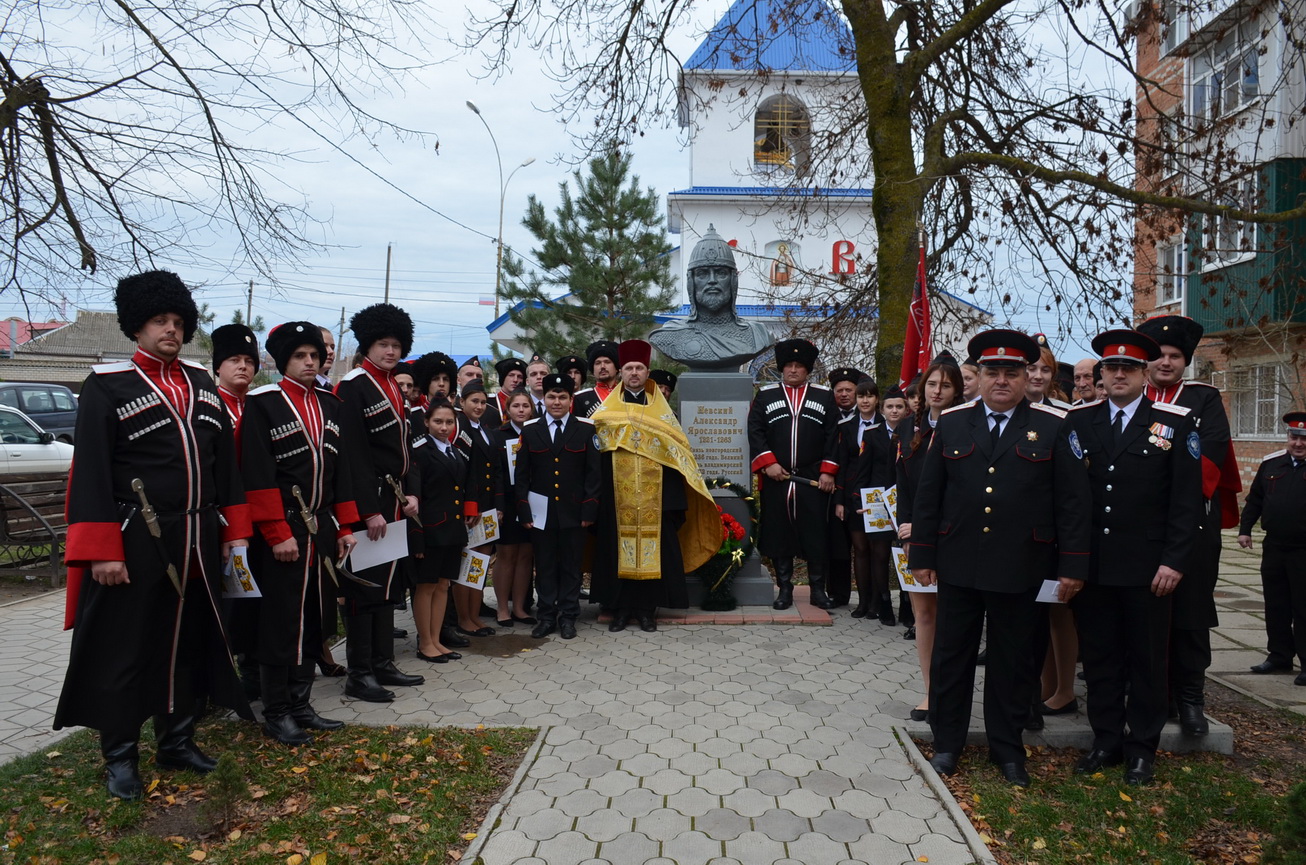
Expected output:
(638, 595)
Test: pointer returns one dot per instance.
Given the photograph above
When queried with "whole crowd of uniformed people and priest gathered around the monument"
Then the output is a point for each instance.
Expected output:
(1115, 502)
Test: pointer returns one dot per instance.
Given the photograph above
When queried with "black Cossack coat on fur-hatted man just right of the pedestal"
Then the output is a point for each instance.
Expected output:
(805, 444)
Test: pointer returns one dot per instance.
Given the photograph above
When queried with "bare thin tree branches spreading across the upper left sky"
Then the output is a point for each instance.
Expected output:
(136, 130)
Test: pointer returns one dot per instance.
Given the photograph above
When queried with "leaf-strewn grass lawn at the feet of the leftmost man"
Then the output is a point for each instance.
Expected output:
(378, 795)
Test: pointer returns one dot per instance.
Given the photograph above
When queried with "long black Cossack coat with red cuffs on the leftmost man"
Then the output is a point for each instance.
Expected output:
(139, 649)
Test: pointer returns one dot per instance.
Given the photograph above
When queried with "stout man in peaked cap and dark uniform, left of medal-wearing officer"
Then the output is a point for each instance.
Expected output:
(1004, 505)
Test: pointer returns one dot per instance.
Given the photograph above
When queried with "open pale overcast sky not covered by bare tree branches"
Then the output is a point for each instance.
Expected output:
(442, 267)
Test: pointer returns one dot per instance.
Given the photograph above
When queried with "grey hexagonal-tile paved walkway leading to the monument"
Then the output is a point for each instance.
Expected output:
(698, 744)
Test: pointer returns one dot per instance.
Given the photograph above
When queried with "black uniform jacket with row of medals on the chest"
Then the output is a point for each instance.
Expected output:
(1146, 489)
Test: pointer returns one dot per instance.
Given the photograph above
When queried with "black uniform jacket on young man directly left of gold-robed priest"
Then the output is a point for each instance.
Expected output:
(566, 471)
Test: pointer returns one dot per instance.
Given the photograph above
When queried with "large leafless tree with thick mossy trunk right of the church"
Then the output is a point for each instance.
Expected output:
(1006, 127)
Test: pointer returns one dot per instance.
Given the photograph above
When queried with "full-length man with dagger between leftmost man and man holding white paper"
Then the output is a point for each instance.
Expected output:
(302, 504)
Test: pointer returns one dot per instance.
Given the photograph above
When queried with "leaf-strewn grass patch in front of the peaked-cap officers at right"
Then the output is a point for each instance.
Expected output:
(1203, 808)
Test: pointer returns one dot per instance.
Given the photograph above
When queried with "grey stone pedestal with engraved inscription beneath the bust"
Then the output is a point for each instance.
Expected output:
(715, 417)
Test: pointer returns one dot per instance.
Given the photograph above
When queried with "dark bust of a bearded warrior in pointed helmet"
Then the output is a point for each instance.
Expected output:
(714, 338)
